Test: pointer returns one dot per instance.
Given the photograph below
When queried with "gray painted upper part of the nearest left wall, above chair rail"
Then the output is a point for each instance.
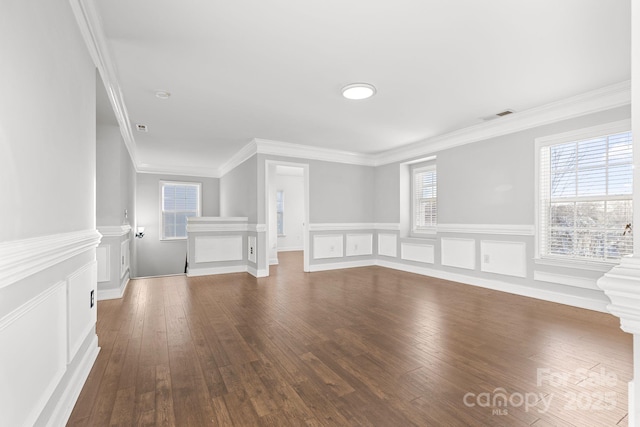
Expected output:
(47, 141)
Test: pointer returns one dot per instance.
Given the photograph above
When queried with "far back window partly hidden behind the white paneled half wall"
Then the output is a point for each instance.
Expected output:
(179, 201)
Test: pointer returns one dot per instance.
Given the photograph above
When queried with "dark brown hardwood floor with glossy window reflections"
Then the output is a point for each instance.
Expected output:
(364, 346)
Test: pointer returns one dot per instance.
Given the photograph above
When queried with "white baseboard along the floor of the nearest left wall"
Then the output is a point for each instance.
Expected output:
(64, 406)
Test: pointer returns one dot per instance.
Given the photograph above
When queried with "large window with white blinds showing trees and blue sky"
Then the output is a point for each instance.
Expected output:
(585, 194)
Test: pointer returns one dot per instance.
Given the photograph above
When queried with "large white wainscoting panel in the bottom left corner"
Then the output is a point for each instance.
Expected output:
(33, 355)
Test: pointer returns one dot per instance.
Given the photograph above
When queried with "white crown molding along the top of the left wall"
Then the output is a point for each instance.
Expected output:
(90, 25)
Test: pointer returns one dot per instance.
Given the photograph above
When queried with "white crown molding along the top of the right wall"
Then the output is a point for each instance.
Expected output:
(602, 99)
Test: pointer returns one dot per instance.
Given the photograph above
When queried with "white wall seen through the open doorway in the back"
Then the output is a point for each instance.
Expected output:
(293, 188)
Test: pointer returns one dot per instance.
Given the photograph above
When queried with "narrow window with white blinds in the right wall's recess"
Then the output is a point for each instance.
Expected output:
(425, 206)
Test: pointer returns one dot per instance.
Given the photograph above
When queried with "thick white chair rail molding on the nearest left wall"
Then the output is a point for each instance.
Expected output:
(23, 258)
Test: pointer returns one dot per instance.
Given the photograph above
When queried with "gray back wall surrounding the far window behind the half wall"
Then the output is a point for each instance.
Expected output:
(157, 257)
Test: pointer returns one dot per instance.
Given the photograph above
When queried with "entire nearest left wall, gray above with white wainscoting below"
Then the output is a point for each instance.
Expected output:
(48, 236)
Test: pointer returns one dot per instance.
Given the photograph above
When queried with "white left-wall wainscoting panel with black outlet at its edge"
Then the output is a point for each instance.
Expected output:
(81, 316)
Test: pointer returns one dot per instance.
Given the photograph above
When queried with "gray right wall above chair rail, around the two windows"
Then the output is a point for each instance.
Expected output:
(487, 182)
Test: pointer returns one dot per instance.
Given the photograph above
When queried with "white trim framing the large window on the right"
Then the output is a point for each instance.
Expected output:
(611, 128)
